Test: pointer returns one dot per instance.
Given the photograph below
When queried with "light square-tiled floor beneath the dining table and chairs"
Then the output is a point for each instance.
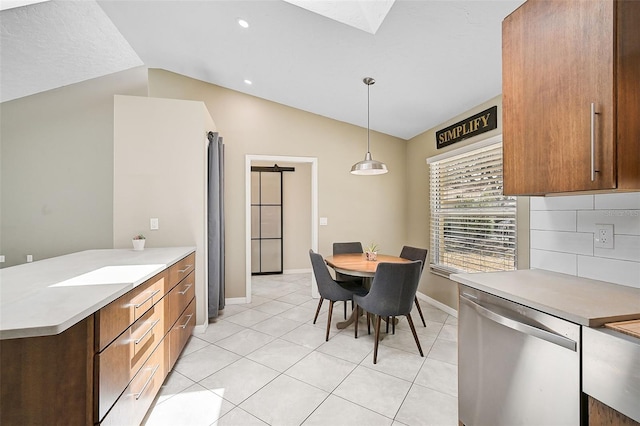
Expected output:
(266, 363)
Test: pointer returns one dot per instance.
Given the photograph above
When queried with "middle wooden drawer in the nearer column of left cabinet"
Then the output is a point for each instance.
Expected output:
(122, 359)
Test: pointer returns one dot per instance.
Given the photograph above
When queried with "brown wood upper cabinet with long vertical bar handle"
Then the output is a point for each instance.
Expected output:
(558, 59)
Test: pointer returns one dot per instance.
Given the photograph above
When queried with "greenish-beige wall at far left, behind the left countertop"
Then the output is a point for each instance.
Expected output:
(57, 168)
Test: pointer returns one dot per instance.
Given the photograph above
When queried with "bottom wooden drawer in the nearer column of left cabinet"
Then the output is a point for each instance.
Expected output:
(138, 396)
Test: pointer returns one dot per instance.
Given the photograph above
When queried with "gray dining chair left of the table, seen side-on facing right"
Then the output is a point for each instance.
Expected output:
(330, 289)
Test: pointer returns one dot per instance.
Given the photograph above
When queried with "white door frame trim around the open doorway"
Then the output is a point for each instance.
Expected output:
(256, 159)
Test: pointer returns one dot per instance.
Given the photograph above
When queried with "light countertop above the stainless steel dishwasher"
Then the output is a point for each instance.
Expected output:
(579, 300)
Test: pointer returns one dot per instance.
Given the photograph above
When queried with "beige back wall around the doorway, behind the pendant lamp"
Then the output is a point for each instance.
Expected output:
(360, 208)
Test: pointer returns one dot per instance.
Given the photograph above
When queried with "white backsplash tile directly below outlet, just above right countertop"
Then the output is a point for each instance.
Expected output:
(611, 270)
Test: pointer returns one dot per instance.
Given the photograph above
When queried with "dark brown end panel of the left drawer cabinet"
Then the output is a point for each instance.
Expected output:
(48, 380)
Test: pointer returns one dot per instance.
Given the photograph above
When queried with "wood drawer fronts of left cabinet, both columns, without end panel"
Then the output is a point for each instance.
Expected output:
(132, 363)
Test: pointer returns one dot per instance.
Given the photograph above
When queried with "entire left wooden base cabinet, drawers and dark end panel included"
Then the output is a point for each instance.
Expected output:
(108, 368)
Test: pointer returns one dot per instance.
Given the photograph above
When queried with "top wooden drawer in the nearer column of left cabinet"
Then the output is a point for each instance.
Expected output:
(117, 316)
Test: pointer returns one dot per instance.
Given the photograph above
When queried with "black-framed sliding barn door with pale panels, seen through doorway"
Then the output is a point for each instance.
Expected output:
(267, 219)
